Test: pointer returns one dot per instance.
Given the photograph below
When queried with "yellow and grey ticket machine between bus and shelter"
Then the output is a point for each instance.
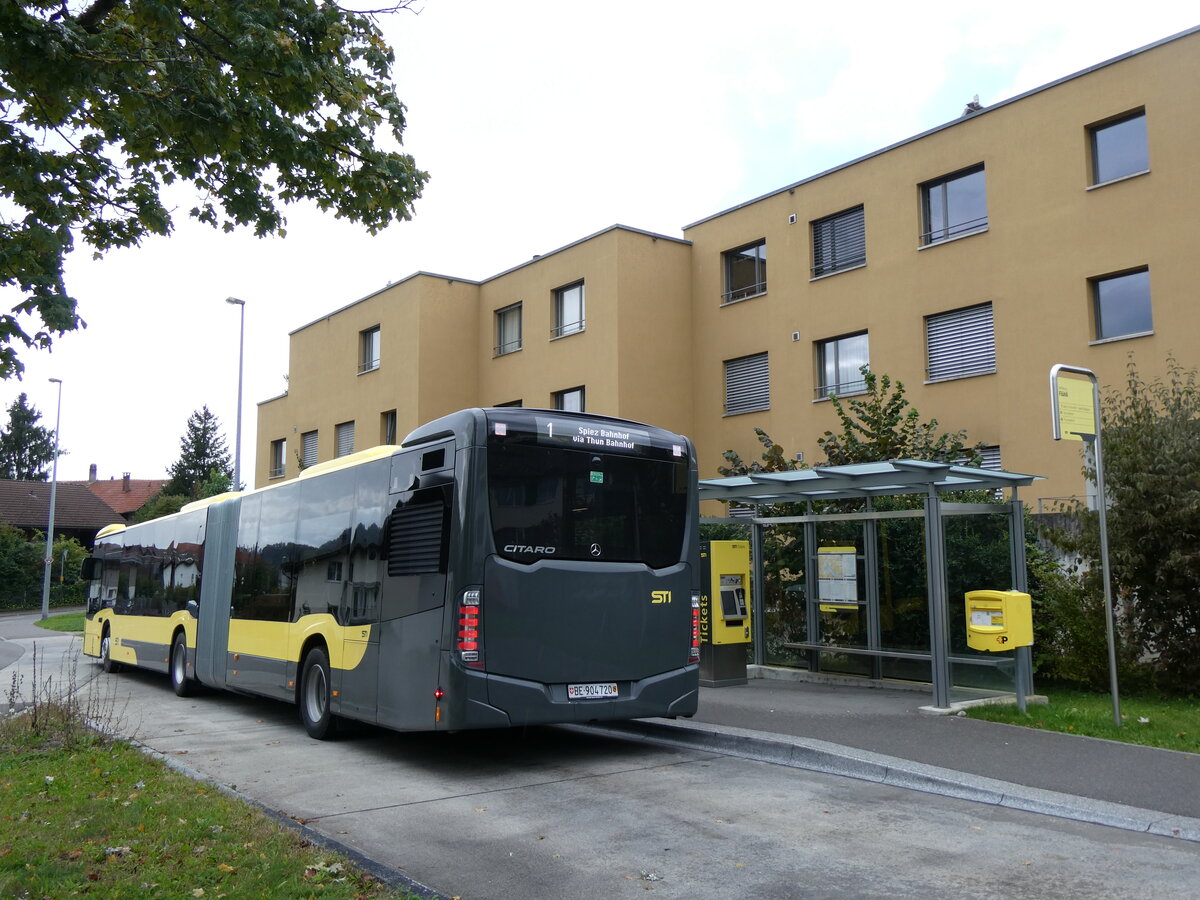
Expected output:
(725, 611)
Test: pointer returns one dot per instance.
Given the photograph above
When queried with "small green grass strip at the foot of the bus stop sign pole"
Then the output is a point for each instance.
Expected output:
(1169, 723)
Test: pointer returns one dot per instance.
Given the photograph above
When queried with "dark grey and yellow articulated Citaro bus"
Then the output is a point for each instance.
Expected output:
(500, 568)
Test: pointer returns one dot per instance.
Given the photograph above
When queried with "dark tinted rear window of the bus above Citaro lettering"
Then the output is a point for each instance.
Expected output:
(569, 505)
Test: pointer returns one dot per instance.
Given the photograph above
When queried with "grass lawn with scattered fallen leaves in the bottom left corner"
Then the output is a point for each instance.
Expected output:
(83, 815)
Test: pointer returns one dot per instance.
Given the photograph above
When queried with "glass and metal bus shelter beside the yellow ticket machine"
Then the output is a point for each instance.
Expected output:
(862, 569)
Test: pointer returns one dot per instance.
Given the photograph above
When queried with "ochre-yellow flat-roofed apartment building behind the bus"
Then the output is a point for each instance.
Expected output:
(1057, 227)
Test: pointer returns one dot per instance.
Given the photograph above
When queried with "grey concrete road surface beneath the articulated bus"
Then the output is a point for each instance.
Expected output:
(551, 813)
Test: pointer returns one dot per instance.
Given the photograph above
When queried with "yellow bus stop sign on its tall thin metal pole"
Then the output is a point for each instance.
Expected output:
(1077, 417)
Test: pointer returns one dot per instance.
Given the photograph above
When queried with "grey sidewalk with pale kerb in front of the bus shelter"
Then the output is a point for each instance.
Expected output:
(883, 735)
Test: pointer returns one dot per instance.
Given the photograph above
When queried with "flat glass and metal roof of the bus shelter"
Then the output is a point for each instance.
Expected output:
(868, 479)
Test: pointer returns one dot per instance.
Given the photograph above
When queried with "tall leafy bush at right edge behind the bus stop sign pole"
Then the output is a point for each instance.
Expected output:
(1151, 435)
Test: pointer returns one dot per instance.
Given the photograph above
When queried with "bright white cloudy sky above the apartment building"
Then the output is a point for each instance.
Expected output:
(541, 123)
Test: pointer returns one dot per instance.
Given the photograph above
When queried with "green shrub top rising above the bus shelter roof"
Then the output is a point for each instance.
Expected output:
(880, 425)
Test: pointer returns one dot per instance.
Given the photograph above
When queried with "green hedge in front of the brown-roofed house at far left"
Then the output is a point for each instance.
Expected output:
(22, 569)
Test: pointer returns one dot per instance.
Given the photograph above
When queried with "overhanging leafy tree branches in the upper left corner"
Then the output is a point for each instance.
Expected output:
(255, 105)
